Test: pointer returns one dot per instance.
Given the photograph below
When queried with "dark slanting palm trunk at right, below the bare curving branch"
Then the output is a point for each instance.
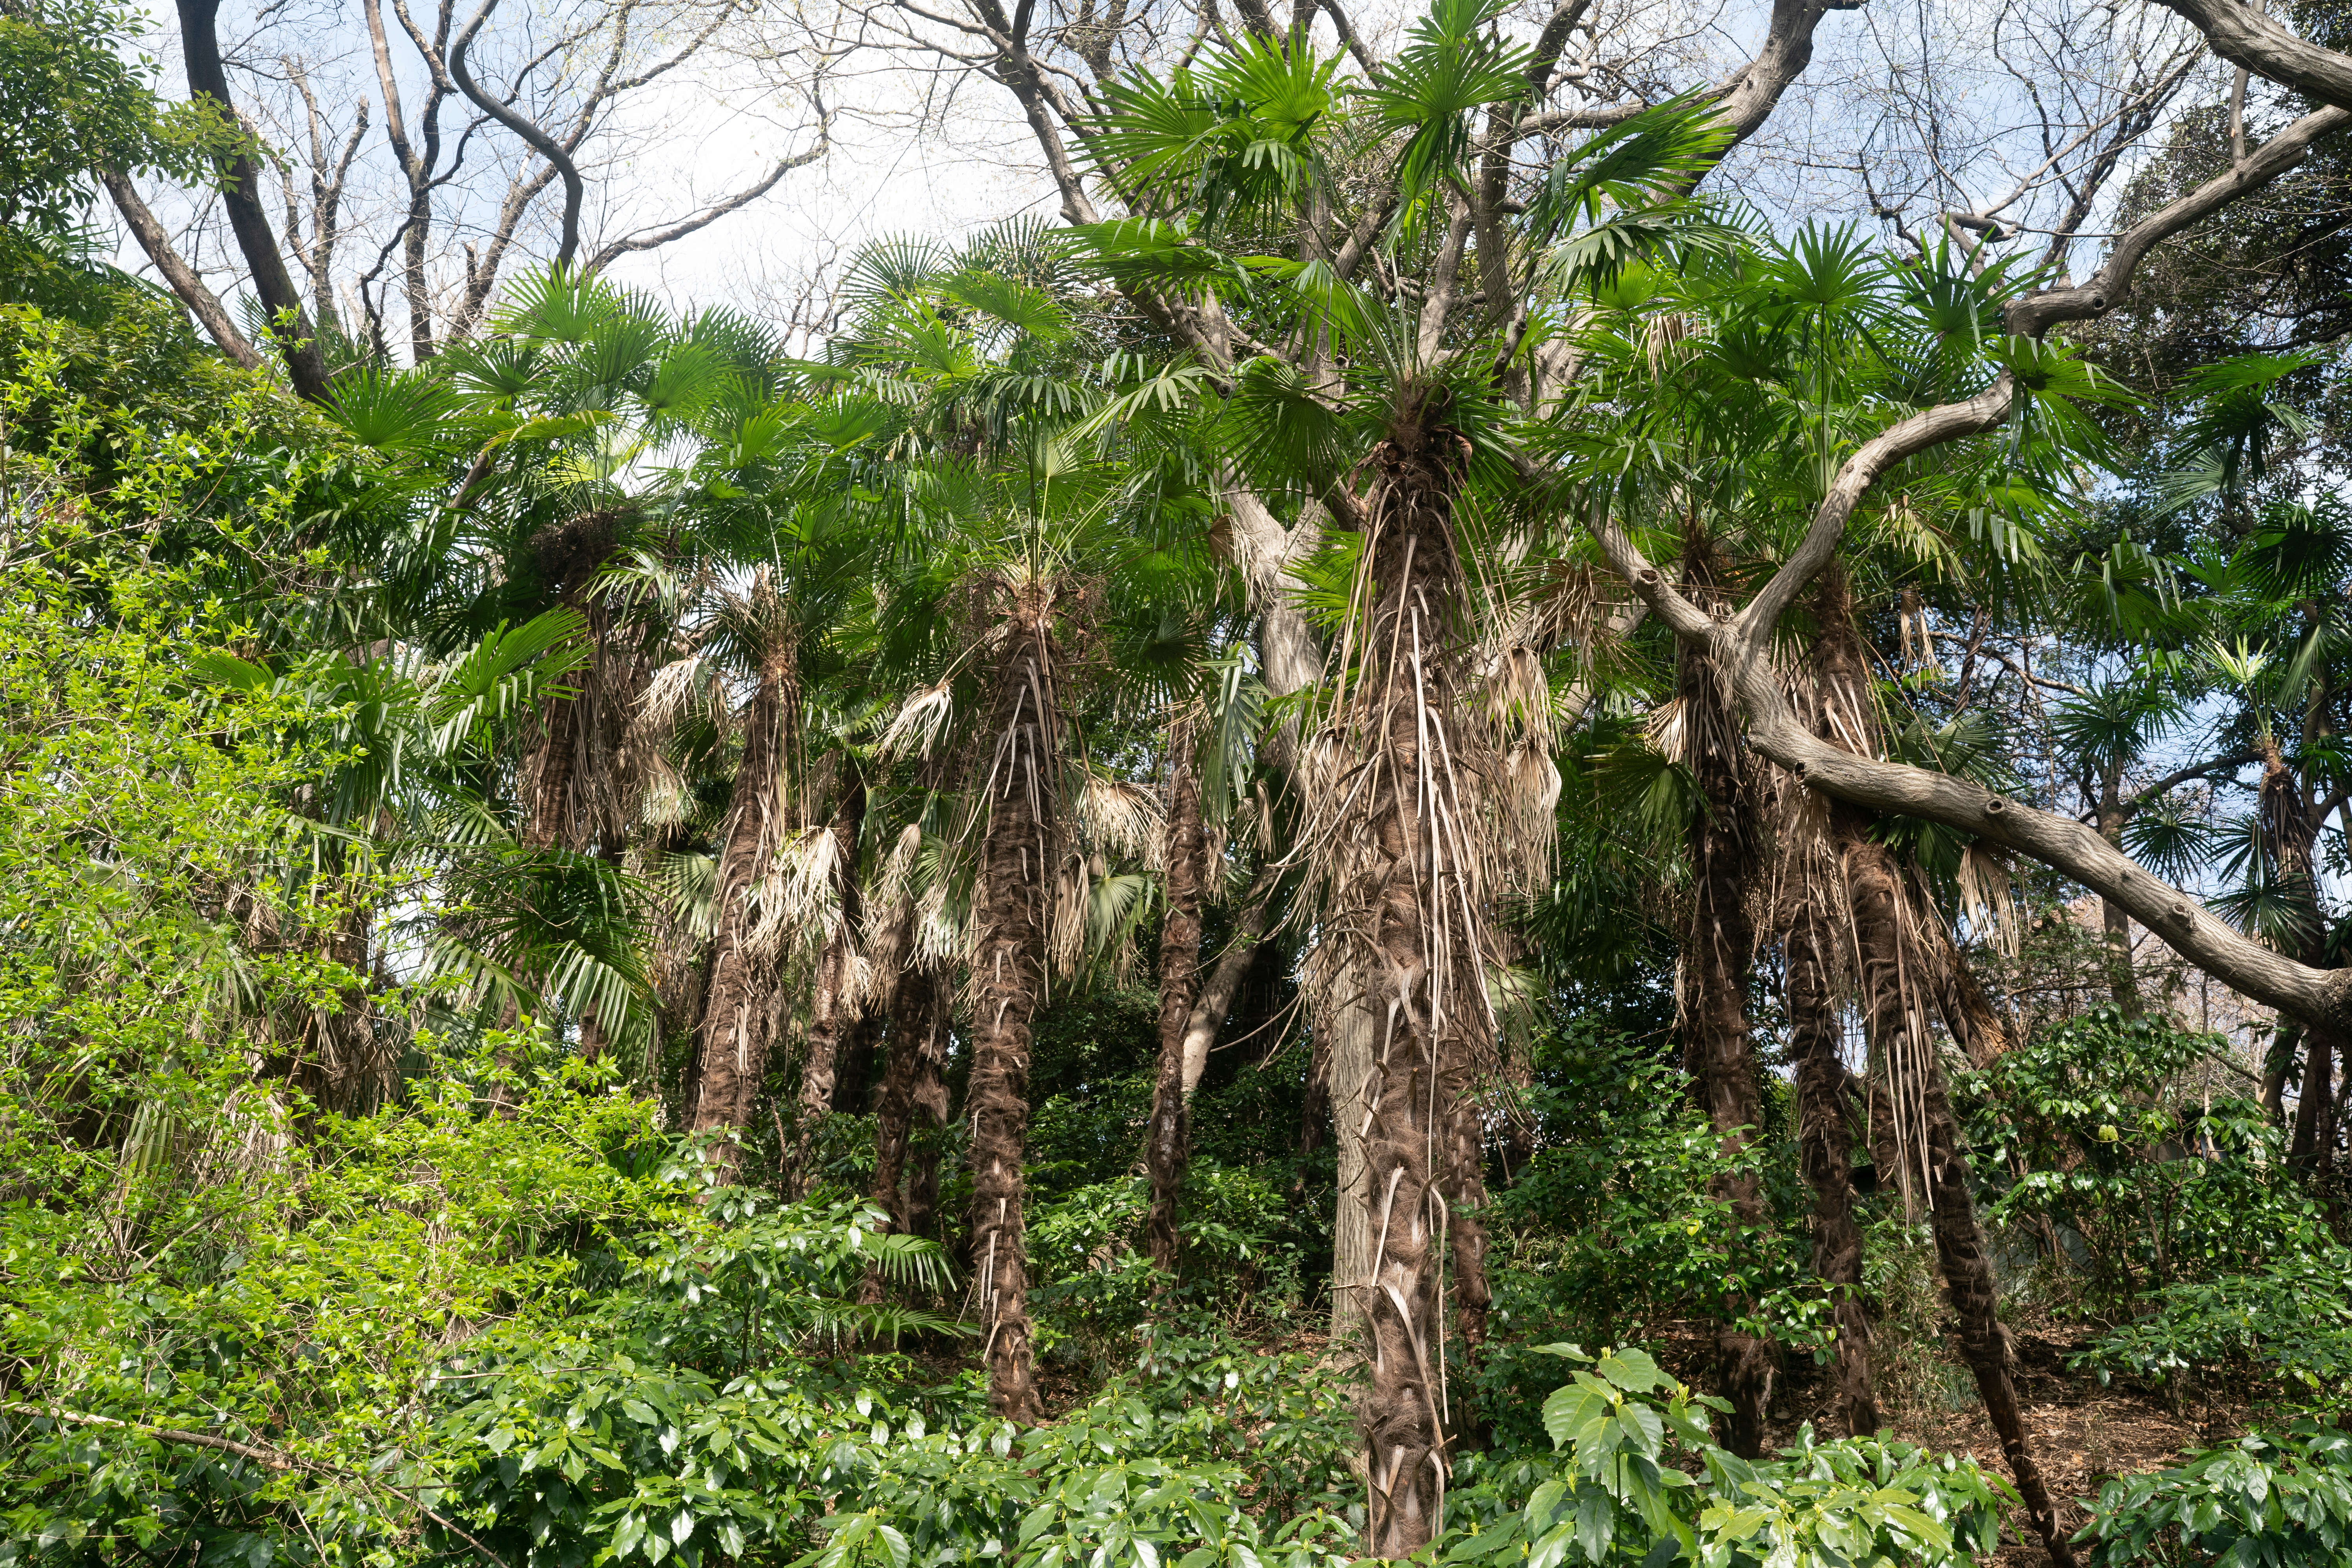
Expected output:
(1892, 979)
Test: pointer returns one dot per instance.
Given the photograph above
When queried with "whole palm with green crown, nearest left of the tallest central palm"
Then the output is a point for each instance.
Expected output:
(996, 518)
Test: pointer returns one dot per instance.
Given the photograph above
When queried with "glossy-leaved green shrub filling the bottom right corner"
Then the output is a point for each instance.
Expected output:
(2271, 1499)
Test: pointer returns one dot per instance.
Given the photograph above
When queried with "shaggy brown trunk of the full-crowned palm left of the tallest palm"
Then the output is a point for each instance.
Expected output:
(1017, 864)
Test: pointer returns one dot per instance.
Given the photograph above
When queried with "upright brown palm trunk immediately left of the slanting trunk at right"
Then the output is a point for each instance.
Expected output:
(1826, 1141)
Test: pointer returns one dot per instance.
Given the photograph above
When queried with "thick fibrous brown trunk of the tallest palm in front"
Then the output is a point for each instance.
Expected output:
(1419, 970)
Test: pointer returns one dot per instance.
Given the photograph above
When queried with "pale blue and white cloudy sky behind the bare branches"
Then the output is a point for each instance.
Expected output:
(1918, 86)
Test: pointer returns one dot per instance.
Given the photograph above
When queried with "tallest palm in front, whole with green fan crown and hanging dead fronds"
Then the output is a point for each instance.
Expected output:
(1316, 384)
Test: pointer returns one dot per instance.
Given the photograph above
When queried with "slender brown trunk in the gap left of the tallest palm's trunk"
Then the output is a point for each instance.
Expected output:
(1168, 1144)
